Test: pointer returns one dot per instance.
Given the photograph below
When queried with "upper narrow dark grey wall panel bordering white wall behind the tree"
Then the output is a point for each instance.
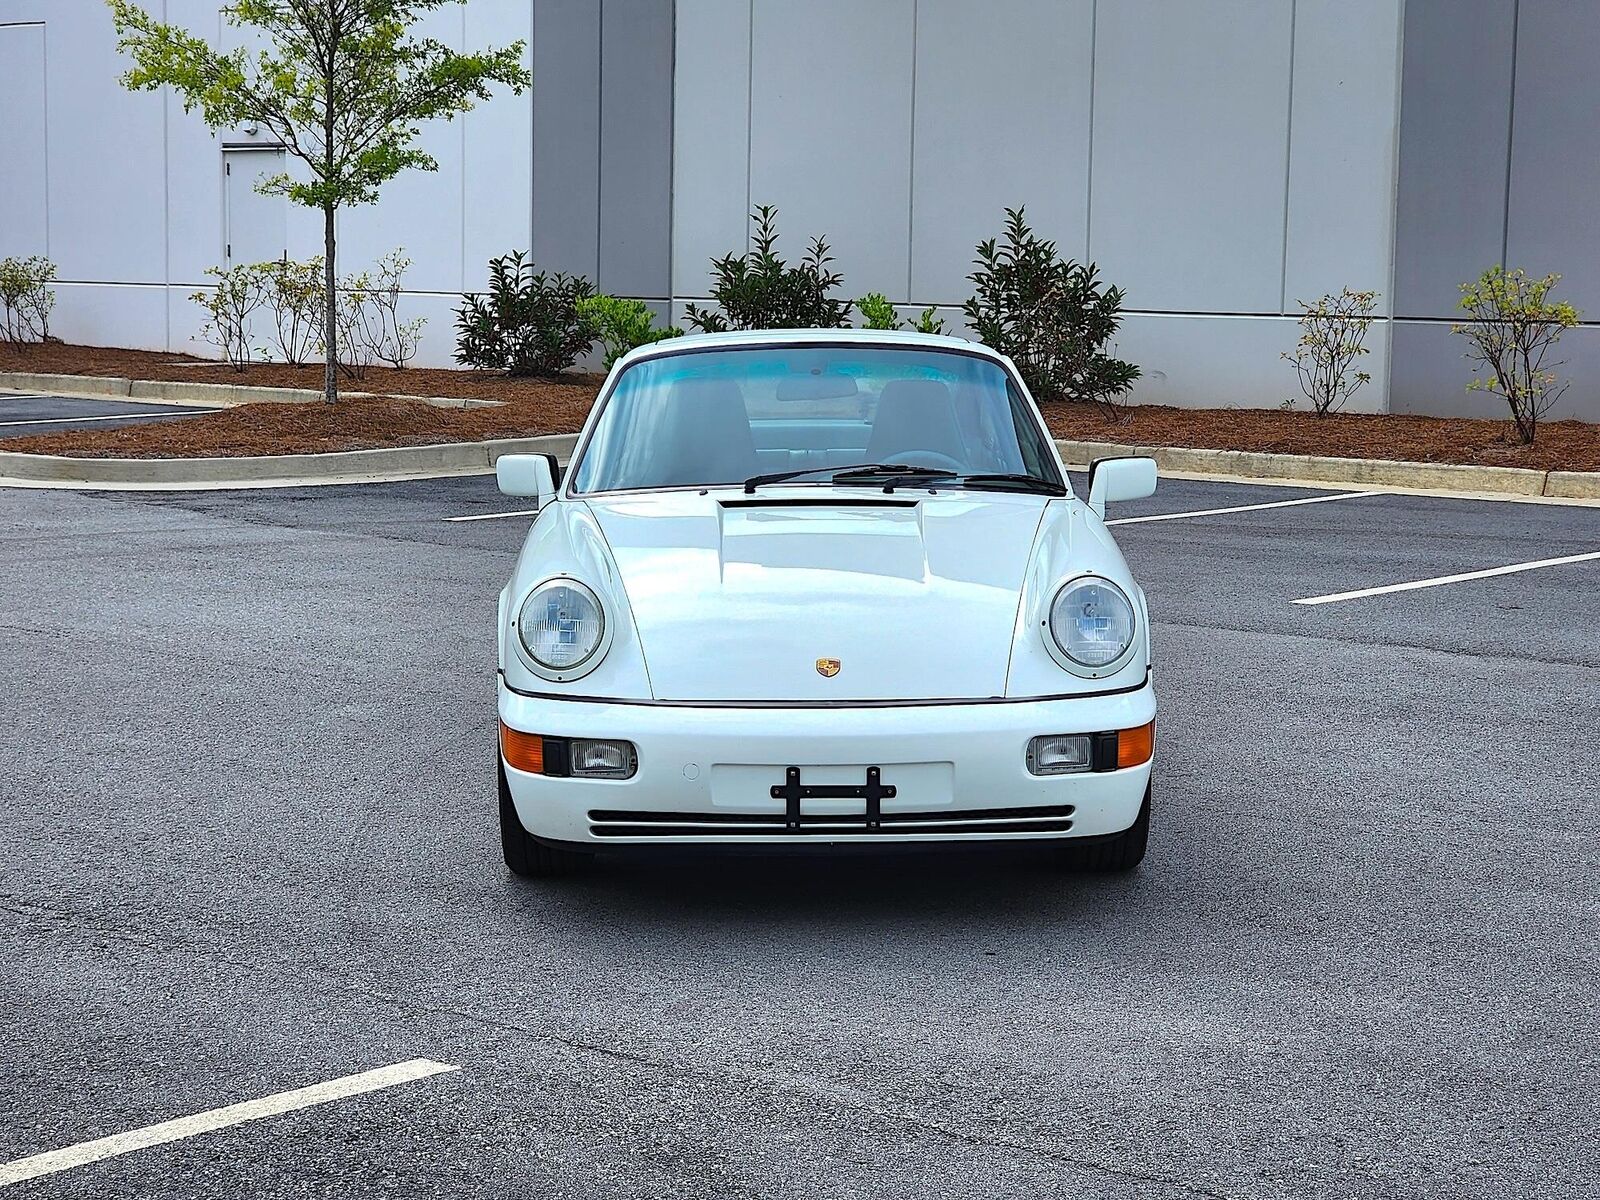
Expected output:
(567, 135)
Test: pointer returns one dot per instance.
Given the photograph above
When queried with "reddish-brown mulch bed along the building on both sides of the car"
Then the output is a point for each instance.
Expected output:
(559, 407)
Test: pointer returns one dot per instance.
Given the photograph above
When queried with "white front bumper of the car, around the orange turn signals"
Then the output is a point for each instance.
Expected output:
(706, 775)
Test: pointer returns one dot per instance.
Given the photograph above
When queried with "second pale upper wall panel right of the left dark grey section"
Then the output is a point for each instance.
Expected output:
(831, 132)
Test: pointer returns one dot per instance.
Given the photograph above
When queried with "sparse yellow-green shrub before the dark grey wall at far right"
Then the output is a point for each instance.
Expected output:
(1513, 327)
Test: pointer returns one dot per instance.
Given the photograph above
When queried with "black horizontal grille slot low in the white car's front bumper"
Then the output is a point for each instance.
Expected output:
(623, 823)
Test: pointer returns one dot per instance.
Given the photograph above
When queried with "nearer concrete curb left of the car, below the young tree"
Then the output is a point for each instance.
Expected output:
(276, 471)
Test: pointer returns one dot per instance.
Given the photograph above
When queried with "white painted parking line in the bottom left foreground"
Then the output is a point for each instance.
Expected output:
(218, 1119)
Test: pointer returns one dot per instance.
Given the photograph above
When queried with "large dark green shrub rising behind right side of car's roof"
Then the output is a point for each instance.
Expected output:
(1050, 316)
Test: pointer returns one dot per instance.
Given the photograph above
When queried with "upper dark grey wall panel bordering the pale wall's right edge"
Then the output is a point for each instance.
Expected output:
(1455, 127)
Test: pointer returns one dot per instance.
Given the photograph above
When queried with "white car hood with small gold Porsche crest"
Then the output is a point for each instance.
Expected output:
(748, 599)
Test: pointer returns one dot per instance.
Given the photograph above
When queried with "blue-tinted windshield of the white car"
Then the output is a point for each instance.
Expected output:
(713, 418)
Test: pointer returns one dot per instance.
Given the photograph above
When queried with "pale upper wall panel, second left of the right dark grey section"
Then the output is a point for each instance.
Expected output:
(1191, 153)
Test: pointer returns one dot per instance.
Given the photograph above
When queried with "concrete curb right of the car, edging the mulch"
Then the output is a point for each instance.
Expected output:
(1350, 471)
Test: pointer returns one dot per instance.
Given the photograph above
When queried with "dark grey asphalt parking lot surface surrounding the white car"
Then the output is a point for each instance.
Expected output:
(247, 846)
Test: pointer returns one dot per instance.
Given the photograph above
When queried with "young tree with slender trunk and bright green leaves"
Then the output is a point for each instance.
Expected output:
(342, 84)
